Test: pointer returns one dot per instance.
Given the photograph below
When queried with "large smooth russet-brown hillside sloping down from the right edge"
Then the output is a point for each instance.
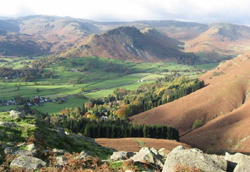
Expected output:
(222, 108)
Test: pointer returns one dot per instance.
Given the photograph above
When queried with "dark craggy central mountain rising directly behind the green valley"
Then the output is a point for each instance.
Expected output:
(129, 43)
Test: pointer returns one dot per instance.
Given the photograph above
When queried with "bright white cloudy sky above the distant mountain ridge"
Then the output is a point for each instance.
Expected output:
(202, 11)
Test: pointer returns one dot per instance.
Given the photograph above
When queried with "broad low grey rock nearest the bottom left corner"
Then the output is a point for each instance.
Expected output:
(28, 163)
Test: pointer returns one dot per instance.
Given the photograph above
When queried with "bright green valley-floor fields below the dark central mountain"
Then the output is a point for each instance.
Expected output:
(97, 76)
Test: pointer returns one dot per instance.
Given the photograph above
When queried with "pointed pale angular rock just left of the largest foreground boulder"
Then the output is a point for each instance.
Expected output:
(148, 155)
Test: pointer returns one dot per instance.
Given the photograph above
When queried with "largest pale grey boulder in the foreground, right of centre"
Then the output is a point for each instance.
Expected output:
(179, 158)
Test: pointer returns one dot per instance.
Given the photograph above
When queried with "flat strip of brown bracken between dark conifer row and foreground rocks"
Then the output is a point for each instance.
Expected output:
(131, 144)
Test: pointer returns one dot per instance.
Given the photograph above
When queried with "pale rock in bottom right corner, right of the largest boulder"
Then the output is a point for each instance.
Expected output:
(238, 162)
